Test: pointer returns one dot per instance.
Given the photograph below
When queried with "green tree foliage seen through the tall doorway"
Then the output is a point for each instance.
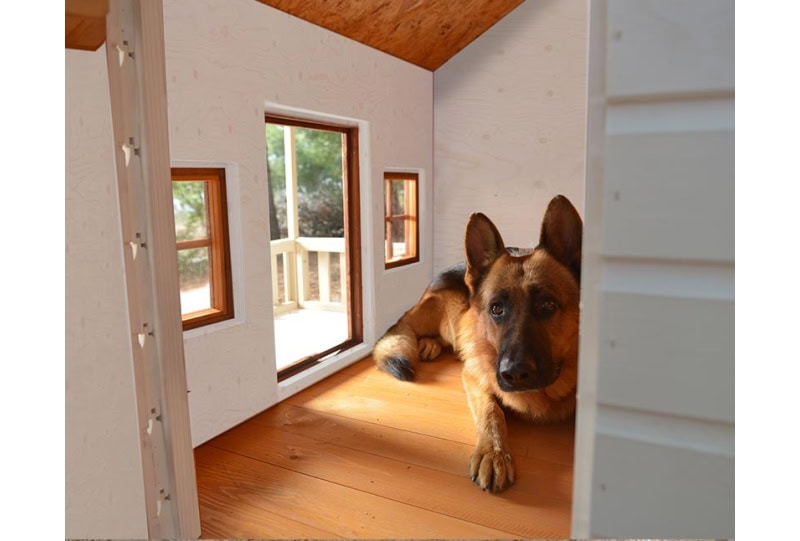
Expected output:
(319, 182)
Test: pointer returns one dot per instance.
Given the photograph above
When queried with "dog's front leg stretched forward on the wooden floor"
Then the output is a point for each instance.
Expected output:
(491, 466)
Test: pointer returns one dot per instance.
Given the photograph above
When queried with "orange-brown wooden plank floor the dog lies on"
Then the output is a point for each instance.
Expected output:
(362, 455)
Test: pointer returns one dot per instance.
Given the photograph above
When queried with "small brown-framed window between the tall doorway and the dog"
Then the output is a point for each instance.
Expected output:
(401, 192)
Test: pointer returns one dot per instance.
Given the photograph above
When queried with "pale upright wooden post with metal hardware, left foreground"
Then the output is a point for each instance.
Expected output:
(137, 82)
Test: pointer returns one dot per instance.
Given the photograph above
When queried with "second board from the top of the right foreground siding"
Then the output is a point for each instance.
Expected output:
(670, 195)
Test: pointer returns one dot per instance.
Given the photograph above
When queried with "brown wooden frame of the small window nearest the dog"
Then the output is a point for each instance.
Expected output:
(410, 218)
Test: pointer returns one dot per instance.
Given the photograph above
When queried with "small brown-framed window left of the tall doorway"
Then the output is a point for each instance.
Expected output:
(201, 231)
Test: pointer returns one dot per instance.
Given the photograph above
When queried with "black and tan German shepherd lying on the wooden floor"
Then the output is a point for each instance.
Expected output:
(512, 316)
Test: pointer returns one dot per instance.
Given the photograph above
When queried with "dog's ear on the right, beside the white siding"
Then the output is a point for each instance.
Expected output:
(562, 234)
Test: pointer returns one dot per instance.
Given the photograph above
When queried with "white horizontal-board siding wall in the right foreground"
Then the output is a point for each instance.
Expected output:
(655, 448)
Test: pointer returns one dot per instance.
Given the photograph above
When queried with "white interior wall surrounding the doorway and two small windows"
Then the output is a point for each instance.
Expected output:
(227, 59)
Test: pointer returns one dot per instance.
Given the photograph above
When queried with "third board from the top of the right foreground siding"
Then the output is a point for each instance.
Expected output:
(666, 354)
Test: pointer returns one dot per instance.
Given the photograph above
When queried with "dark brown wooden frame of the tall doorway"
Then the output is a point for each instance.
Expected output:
(352, 226)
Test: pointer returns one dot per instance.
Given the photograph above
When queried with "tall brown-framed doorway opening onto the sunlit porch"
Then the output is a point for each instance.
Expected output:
(315, 240)
